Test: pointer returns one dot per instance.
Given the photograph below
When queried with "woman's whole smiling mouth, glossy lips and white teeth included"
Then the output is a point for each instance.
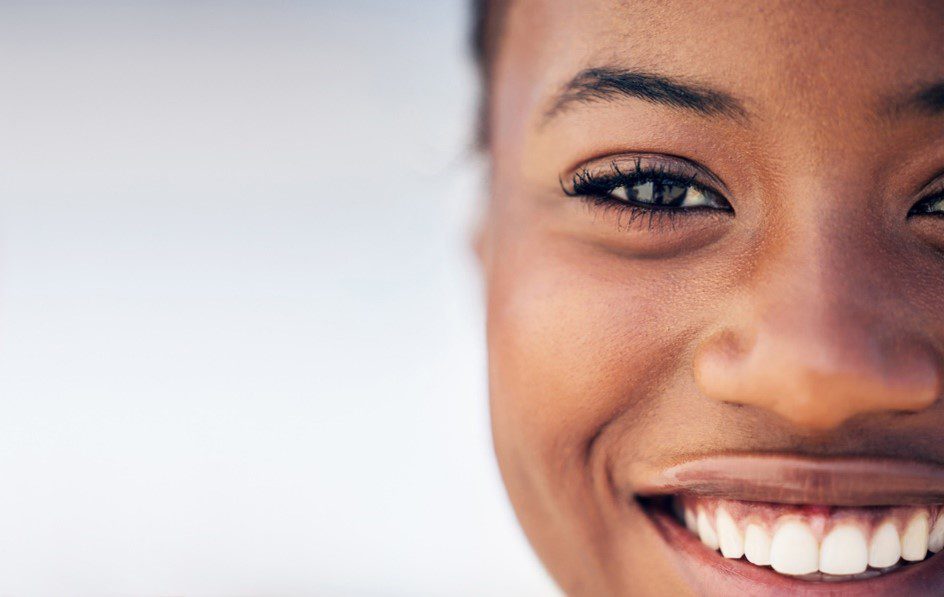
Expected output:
(799, 525)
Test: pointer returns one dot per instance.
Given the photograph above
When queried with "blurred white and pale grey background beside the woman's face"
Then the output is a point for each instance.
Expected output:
(241, 337)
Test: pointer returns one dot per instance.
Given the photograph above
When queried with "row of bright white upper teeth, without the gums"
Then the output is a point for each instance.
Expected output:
(793, 547)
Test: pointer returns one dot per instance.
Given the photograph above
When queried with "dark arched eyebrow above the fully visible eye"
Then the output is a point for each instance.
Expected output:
(611, 84)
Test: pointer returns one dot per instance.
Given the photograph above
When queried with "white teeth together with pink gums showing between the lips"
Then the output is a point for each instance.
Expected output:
(813, 542)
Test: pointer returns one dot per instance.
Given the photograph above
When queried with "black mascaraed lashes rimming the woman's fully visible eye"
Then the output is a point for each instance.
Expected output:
(597, 191)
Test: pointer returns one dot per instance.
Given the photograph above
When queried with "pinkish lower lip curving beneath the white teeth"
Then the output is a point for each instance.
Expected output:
(714, 574)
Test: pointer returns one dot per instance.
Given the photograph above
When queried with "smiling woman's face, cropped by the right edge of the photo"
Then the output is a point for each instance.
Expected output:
(714, 257)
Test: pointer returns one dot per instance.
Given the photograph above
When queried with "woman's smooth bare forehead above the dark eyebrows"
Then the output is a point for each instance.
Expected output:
(789, 58)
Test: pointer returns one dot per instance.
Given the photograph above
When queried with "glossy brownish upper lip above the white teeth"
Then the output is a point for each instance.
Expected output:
(791, 479)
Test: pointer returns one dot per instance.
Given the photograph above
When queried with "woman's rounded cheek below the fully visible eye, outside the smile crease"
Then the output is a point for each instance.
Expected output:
(577, 339)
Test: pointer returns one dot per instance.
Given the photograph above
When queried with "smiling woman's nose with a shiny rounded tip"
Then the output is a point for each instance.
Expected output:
(819, 336)
